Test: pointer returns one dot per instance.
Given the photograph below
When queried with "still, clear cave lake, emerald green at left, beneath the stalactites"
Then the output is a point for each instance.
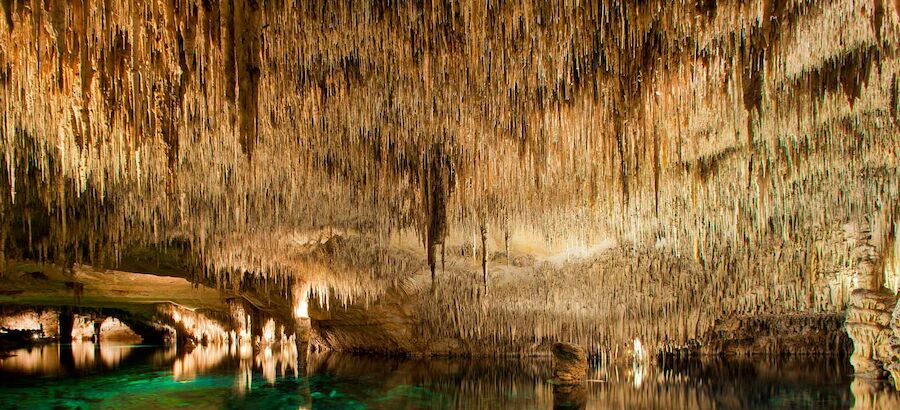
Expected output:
(109, 376)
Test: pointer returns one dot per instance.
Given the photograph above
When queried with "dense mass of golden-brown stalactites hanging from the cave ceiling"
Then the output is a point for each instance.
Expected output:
(356, 146)
